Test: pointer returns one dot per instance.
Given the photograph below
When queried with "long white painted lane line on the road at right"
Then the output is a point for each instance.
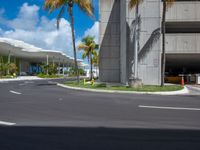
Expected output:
(171, 108)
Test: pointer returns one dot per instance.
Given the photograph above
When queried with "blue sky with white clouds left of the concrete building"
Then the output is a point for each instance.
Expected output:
(27, 20)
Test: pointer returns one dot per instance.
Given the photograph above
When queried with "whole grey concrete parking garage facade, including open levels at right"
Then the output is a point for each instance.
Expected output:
(117, 22)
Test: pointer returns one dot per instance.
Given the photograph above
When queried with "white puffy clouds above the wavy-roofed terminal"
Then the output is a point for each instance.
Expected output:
(29, 27)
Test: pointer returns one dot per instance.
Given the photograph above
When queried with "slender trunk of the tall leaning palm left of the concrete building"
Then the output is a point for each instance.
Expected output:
(73, 41)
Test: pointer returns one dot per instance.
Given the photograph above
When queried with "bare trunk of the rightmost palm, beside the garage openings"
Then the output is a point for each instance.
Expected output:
(163, 59)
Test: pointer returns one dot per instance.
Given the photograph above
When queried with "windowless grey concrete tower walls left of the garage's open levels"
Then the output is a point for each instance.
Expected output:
(117, 41)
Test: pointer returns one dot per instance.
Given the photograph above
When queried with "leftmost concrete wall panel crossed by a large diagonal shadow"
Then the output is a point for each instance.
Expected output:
(109, 40)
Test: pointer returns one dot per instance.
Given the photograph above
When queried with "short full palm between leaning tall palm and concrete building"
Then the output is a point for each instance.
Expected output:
(89, 46)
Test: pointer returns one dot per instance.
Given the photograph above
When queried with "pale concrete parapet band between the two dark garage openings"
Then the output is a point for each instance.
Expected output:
(183, 43)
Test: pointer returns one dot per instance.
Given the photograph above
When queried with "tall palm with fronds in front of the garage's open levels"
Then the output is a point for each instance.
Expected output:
(166, 4)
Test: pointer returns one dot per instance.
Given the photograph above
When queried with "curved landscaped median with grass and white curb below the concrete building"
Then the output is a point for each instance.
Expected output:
(146, 89)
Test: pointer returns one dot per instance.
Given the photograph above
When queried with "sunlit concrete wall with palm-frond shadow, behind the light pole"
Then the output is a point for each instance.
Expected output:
(150, 43)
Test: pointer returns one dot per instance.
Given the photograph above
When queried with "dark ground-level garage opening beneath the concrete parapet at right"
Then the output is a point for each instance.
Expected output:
(182, 64)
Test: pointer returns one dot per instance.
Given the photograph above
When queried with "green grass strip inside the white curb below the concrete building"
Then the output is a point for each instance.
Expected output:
(145, 88)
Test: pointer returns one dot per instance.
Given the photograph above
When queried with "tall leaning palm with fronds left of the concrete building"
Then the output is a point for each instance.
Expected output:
(85, 5)
